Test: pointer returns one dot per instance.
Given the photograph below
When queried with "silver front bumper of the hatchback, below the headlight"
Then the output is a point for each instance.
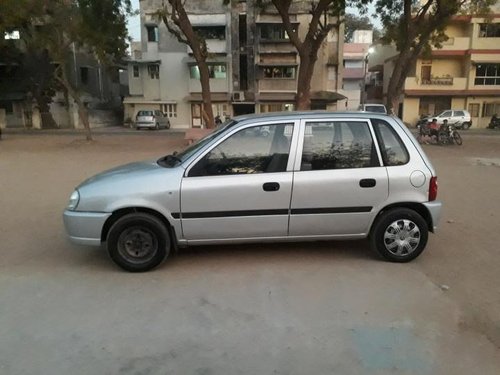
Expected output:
(85, 228)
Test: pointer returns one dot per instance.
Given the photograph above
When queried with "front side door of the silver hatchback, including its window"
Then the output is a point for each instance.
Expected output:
(241, 188)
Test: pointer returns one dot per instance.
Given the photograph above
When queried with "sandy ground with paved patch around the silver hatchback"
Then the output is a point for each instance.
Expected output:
(317, 308)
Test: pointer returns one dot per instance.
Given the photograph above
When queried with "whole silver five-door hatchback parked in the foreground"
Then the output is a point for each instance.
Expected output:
(309, 176)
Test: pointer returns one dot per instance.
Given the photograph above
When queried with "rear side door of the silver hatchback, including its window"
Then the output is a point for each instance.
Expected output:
(339, 179)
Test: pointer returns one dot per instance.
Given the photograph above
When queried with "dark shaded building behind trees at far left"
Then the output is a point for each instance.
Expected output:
(100, 88)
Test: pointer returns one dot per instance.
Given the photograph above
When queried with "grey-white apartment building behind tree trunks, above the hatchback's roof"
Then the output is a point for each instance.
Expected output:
(253, 65)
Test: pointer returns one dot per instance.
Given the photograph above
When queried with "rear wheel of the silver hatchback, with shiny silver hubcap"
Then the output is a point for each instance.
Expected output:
(413, 231)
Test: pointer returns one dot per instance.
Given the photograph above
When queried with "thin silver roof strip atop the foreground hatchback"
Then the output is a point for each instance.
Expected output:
(307, 114)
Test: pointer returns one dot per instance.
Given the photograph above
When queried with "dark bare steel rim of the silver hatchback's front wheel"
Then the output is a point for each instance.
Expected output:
(137, 245)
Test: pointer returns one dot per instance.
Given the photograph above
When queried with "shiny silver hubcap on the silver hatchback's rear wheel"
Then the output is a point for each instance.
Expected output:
(402, 237)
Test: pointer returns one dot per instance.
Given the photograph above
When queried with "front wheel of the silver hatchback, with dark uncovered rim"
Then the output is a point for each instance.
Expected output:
(138, 242)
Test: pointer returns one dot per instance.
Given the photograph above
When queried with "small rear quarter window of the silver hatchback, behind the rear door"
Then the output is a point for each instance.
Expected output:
(391, 146)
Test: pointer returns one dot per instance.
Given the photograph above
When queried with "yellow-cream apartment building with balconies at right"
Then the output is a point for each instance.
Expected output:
(463, 74)
